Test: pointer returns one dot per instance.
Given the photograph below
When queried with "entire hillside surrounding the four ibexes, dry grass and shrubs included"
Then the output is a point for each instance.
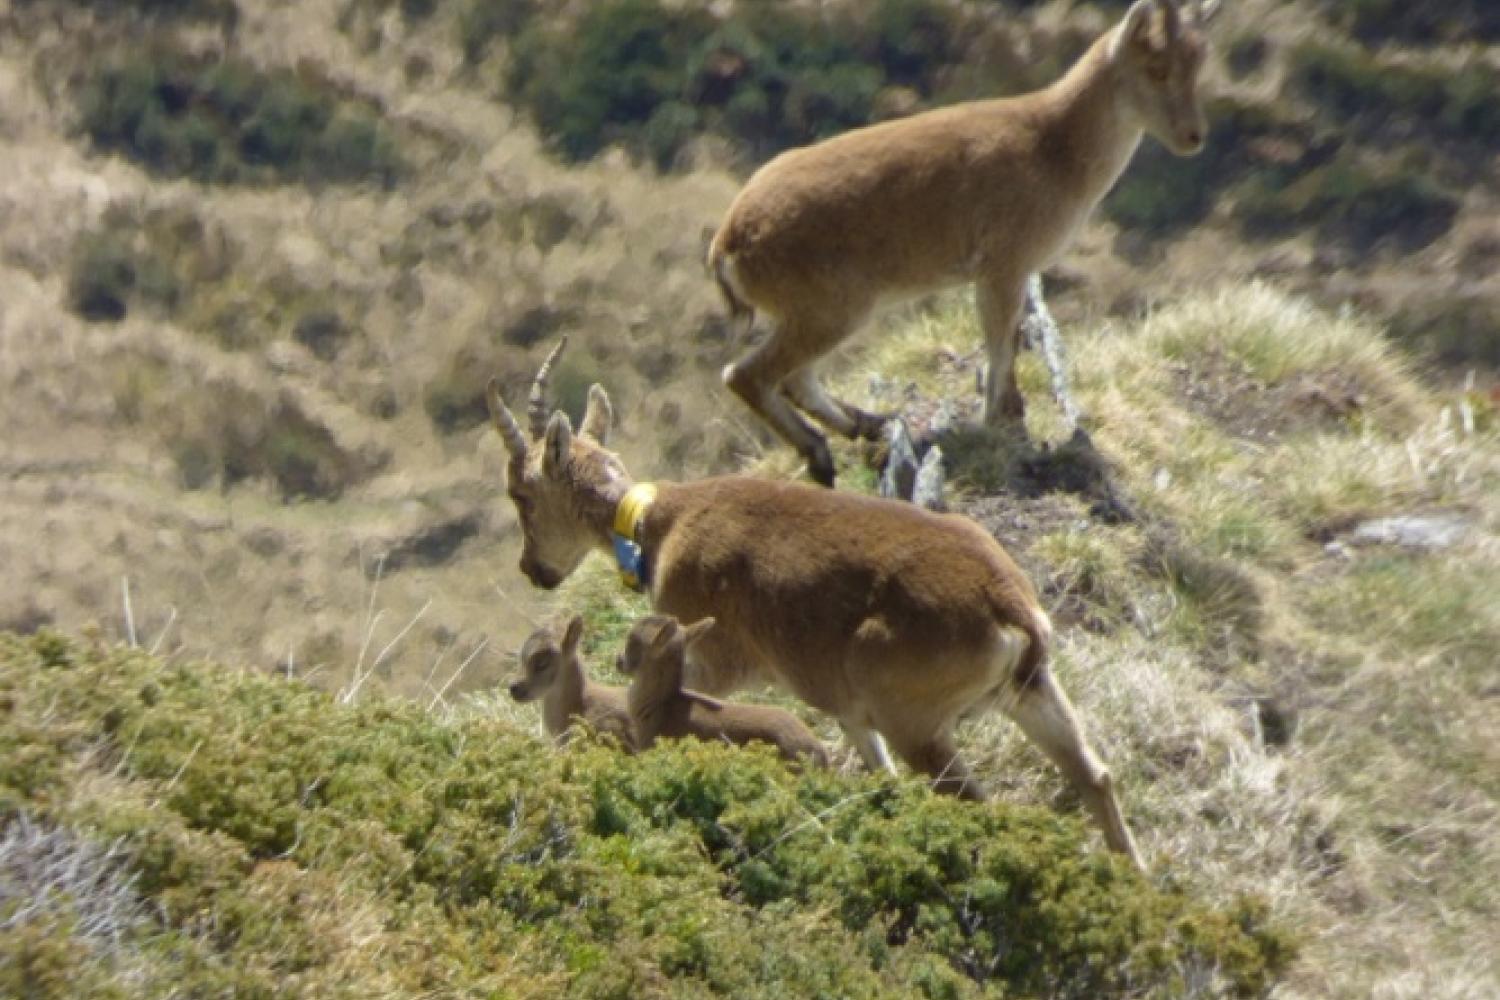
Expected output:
(257, 262)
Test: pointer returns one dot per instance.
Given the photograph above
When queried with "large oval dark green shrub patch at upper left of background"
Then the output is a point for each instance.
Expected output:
(227, 122)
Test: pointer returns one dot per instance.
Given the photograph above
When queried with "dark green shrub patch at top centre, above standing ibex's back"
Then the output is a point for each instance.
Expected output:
(655, 76)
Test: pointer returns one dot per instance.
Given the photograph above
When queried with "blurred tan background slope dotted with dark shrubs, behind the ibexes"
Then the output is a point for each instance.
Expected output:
(259, 260)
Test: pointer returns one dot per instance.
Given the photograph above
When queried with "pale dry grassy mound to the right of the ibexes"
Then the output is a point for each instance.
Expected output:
(1334, 750)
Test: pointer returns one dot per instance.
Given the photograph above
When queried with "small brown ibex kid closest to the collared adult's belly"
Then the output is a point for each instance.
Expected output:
(655, 657)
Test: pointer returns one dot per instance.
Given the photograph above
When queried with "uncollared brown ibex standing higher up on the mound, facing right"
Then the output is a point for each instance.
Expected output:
(985, 193)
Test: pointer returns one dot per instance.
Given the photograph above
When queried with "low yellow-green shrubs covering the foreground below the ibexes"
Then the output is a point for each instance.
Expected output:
(280, 842)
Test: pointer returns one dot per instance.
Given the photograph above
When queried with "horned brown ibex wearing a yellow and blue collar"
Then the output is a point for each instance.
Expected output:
(893, 620)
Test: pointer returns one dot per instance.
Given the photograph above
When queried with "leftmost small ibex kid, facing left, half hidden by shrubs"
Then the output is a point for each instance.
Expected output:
(553, 671)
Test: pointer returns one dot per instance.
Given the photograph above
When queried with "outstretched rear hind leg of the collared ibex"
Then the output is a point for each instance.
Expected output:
(1046, 716)
